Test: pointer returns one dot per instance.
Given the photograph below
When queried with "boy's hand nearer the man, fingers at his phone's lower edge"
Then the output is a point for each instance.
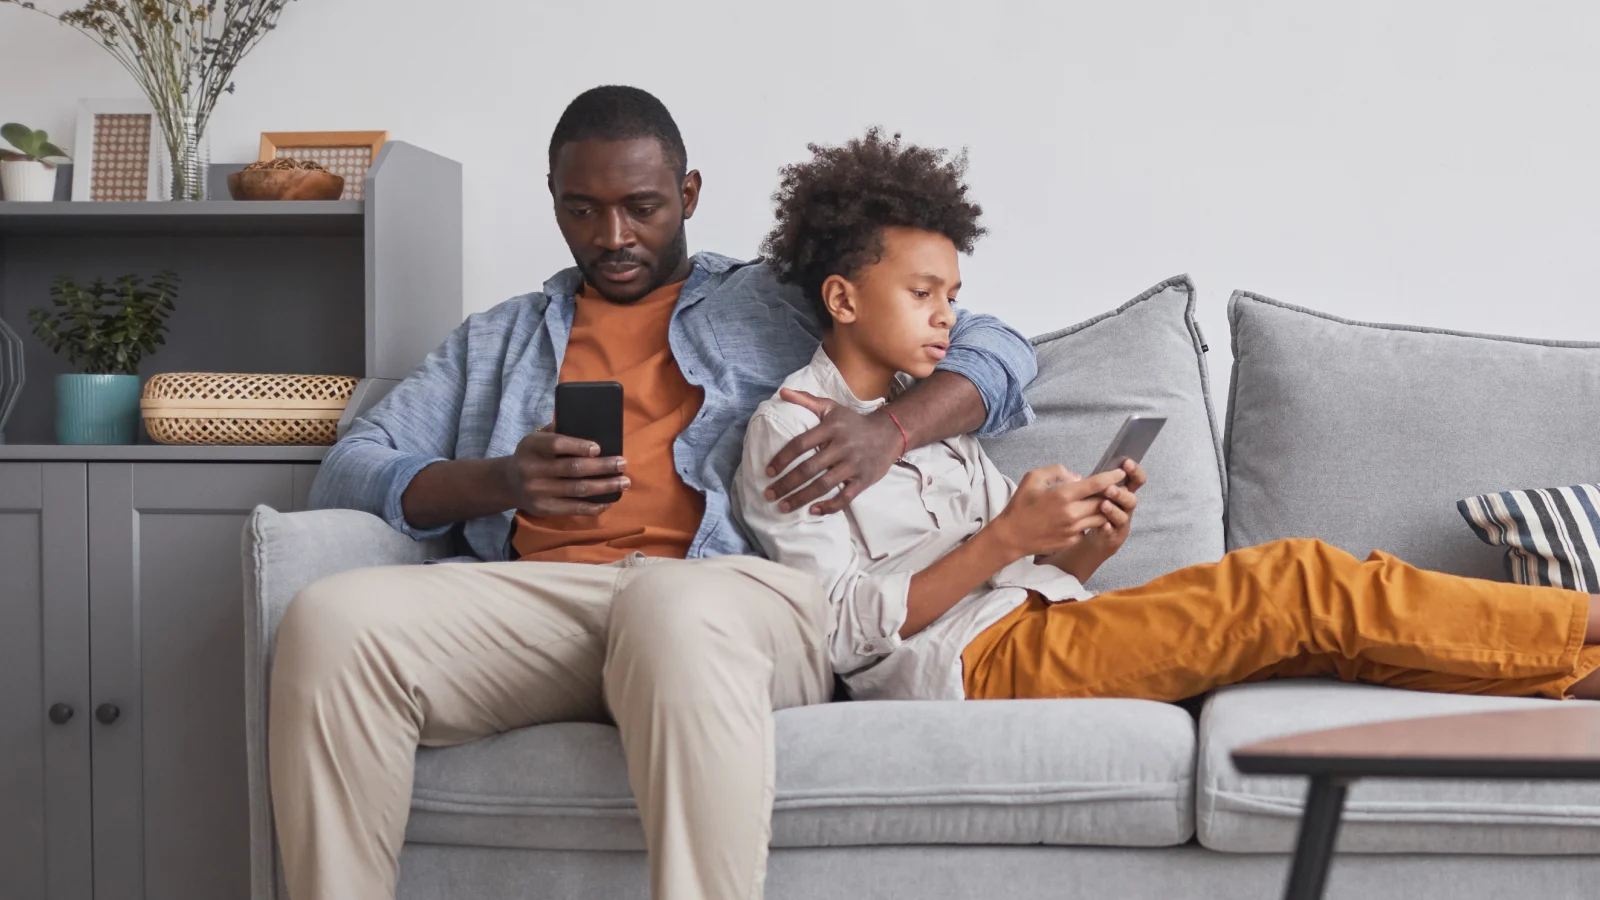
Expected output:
(1052, 510)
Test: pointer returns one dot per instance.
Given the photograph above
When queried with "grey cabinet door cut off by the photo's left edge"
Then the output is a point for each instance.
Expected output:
(46, 826)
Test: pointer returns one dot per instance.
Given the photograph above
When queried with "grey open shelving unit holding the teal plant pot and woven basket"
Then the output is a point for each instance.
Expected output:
(340, 287)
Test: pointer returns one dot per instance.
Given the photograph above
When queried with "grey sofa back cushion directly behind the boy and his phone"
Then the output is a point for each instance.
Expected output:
(1143, 358)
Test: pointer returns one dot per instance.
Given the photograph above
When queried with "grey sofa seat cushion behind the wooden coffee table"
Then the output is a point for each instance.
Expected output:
(1262, 814)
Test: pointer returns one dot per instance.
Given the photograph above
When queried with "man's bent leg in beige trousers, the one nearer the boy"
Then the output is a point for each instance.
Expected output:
(700, 654)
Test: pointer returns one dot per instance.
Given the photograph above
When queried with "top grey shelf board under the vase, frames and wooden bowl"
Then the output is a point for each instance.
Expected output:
(167, 219)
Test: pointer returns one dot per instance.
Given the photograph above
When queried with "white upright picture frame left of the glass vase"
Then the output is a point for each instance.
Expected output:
(119, 151)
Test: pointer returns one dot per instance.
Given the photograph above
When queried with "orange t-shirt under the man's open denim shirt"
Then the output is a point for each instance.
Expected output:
(658, 513)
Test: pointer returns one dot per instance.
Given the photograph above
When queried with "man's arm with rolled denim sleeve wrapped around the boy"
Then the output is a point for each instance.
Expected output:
(978, 387)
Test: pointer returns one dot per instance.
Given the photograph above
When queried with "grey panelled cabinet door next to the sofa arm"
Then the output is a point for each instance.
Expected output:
(167, 643)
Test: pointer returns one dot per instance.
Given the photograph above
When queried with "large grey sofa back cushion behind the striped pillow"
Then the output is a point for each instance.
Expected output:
(1367, 436)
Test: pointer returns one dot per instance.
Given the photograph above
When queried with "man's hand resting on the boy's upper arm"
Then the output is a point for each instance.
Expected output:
(852, 451)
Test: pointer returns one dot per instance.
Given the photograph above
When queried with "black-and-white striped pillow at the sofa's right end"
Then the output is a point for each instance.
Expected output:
(1550, 534)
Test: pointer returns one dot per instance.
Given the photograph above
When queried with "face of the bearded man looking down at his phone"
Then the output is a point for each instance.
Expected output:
(622, 209)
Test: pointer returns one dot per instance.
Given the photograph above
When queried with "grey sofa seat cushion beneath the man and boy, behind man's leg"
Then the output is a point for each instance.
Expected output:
(1113, 773)
